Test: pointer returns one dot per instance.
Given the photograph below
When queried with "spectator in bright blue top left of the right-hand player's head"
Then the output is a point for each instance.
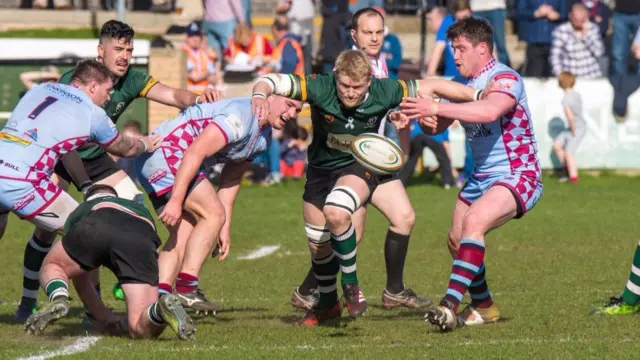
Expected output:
(439, 22)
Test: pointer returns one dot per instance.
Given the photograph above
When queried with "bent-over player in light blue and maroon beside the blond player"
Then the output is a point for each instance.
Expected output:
(220, 132)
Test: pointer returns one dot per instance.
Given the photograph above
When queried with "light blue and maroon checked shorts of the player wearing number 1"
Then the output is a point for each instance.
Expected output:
(41, 202)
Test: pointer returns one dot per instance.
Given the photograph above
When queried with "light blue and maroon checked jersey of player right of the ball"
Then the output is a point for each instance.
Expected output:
(508, 144)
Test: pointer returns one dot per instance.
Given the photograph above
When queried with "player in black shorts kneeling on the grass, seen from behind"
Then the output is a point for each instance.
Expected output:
(119, 234)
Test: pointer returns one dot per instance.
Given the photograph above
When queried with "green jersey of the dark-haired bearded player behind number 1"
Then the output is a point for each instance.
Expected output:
(132, 85)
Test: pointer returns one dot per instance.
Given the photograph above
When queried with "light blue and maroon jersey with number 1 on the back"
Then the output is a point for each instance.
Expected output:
(49, 121)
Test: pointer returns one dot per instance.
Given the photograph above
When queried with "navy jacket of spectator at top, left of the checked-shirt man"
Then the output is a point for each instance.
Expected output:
(538, 30)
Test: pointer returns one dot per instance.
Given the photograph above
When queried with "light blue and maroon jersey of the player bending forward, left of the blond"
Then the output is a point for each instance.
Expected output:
(243, 135)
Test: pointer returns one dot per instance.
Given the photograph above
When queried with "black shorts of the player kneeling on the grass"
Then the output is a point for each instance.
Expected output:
(124, 244)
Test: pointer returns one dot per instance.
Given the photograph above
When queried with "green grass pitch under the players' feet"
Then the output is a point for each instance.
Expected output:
(545, 271)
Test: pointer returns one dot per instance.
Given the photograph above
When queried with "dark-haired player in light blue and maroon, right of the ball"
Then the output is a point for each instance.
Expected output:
(506, 182)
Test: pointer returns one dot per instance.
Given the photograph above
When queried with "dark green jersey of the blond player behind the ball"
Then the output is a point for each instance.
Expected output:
(334, 126)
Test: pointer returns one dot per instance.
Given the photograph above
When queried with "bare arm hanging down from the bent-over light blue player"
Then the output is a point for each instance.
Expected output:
(210, 141)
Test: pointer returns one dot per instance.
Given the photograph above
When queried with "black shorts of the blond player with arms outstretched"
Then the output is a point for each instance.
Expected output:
(320, 182)
